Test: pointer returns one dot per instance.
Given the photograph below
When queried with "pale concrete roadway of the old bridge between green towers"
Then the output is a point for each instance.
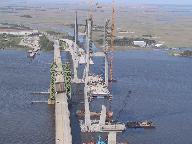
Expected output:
(62, 114)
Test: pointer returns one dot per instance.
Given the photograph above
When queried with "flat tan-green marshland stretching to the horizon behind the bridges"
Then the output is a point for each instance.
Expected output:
(172, 27)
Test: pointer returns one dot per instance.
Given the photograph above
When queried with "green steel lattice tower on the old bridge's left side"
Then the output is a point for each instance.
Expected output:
(52, 82)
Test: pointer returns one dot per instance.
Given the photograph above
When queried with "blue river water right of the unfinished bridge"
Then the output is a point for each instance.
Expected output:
(161, 88)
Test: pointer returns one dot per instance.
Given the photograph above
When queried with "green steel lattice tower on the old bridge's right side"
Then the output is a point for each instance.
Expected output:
(67, 78)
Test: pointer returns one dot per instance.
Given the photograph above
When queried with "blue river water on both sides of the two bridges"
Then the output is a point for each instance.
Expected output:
(160, 89)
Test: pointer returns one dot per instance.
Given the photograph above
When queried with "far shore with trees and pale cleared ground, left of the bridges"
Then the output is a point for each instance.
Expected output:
(26, 39)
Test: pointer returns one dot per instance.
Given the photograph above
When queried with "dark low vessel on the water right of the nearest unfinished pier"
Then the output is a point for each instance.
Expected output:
(140, 124)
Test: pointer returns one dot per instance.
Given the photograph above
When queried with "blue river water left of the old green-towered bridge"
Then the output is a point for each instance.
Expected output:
(20, 121)
